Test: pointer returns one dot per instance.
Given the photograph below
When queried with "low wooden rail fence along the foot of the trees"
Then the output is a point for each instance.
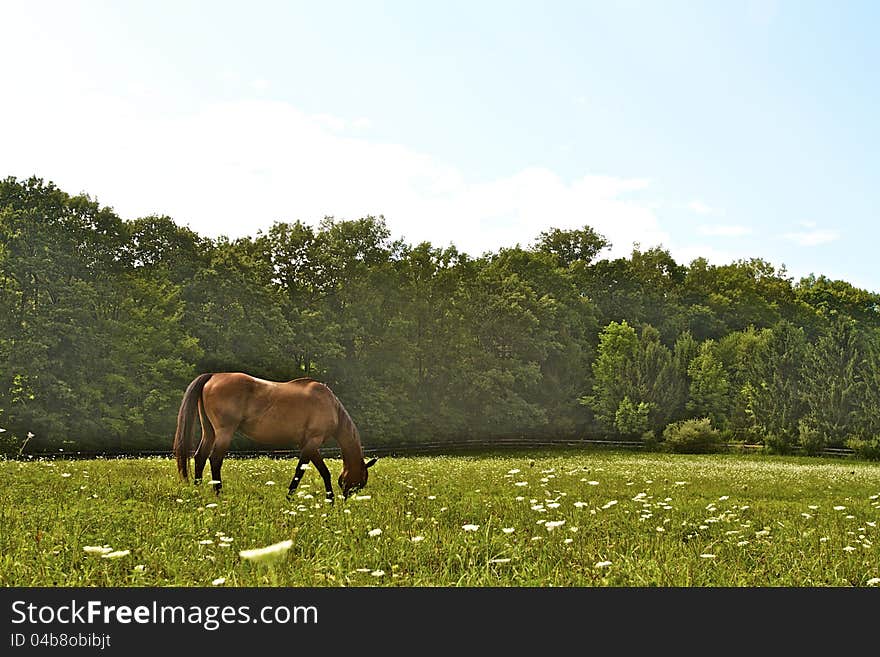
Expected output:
(411, 449)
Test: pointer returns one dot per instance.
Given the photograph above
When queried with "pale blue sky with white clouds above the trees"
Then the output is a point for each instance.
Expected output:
(726, 130)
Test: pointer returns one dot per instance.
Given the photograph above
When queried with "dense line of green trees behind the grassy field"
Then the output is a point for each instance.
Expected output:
(104, 321)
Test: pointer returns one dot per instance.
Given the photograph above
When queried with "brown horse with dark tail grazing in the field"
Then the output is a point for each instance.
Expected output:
(302, 412)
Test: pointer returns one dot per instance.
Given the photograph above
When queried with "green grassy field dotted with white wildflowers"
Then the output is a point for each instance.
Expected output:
(549, 518)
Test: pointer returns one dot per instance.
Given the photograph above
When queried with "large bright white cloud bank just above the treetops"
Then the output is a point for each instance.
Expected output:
(233, 168)
